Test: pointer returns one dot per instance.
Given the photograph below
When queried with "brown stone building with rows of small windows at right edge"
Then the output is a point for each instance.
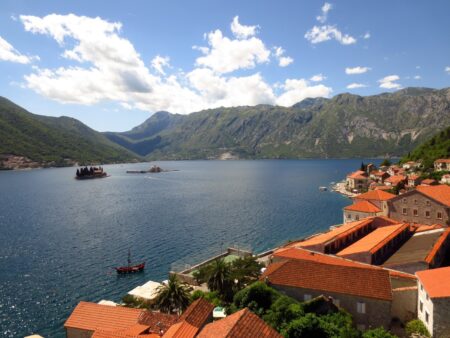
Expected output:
(424, 205)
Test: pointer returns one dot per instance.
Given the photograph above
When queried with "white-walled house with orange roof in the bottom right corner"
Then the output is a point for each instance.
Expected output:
(434, 301)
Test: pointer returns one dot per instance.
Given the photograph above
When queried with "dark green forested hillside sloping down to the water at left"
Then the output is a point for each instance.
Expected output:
(54, 140)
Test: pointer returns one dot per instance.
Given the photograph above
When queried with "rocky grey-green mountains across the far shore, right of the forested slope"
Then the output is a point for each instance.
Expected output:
(389, 124)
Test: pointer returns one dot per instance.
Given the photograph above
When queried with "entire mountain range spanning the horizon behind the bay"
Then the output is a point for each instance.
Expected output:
(343, 126)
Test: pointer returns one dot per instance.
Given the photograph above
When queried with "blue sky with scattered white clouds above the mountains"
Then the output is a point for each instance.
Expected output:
(112, 64)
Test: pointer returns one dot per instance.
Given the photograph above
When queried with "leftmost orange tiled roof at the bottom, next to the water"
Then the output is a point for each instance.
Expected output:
(92, 316)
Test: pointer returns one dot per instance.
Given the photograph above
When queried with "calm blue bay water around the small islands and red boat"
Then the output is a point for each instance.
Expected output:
(60, 238)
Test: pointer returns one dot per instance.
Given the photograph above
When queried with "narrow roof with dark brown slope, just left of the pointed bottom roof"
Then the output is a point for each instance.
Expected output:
(192, 320)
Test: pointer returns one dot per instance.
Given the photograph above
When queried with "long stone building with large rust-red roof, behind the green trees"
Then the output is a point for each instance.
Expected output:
(365, 291)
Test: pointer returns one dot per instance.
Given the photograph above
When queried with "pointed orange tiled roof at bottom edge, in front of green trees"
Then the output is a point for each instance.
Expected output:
(242, 324)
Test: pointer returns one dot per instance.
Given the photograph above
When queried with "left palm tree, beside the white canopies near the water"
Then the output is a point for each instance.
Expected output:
(173, 297)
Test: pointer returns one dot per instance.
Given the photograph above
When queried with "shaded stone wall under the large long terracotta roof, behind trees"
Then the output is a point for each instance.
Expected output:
(378, 312)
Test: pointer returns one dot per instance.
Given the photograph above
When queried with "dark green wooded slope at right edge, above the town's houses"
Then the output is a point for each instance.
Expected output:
(436, 147)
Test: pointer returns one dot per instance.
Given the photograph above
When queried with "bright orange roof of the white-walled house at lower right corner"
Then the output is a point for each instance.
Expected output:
(436, 282)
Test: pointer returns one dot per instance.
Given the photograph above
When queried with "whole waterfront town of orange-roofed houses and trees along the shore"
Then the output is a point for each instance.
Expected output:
(387, 266)
